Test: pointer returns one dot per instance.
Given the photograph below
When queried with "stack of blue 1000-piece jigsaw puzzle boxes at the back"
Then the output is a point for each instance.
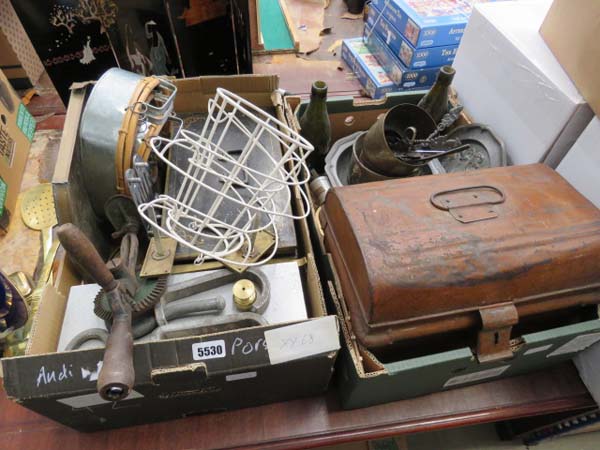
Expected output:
(411, 40)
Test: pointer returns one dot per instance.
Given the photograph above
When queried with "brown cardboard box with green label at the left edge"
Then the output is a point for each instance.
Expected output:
(16, 133)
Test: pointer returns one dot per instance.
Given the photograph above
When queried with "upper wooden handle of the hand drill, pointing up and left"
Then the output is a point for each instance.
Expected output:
(83, 251)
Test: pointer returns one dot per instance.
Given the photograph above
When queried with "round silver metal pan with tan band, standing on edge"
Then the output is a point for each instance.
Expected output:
(123, 111)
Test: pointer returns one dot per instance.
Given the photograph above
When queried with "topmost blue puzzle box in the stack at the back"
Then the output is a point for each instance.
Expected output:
(428, 23)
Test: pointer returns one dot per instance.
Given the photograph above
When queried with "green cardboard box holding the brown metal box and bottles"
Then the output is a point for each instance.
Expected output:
(365, 380)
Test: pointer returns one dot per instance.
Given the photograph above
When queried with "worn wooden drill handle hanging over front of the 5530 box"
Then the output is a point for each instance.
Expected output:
(117, 375)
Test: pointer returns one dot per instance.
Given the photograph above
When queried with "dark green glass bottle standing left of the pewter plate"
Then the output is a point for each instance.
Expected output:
(315, 125)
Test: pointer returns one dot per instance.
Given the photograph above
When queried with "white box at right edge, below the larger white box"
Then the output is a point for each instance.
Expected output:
(581, 165)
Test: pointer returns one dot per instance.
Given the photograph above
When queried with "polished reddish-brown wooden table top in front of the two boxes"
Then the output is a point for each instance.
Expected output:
(312, 422)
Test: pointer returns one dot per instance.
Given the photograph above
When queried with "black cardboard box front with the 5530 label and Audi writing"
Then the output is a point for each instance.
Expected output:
(163, 363)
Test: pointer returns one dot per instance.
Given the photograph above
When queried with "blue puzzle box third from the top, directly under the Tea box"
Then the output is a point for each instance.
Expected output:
(406, 79)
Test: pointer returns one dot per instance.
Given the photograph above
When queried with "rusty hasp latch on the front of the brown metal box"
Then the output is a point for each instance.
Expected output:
(493, 340)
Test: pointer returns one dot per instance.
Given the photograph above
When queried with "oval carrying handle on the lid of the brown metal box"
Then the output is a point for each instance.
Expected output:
(469, 204)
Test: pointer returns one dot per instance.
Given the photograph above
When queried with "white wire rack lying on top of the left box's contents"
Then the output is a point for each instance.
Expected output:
(239, 197)
